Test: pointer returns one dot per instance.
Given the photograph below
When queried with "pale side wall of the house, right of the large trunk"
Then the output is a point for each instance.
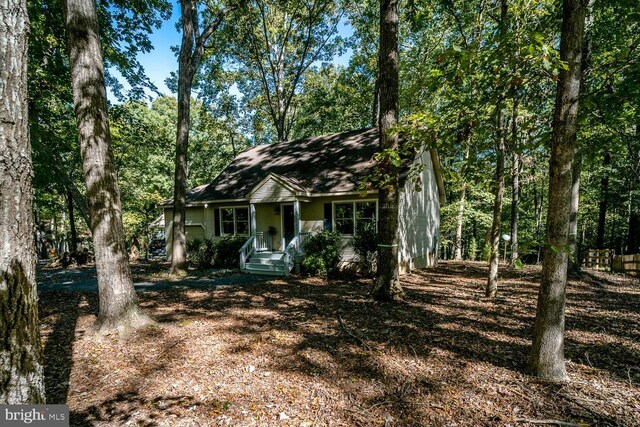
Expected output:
(419, 220)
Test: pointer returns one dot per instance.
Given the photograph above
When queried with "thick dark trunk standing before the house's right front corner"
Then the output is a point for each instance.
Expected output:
(387, 282)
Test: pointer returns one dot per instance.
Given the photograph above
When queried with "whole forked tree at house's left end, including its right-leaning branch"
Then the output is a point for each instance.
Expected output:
(192, 50)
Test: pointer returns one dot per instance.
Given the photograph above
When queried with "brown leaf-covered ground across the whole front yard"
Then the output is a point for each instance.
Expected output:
(302, 352)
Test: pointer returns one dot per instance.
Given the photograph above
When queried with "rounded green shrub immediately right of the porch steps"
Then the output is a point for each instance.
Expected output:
(322, 253)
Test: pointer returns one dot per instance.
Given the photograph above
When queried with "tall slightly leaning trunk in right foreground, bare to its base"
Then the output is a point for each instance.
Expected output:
(547, 353)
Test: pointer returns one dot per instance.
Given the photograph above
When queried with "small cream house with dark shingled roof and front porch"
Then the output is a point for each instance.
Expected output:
(300, 187)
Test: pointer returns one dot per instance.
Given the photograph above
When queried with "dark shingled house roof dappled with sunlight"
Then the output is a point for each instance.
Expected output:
(335, 163)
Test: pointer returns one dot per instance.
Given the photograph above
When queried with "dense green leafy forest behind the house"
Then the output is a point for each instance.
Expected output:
(471, 78)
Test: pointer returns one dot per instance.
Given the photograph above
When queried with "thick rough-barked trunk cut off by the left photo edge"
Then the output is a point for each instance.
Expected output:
(21, 369)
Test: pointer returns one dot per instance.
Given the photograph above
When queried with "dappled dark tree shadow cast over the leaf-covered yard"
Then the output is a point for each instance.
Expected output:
(411, 357)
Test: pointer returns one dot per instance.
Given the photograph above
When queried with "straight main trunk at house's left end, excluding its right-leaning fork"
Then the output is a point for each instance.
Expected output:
(185, 82)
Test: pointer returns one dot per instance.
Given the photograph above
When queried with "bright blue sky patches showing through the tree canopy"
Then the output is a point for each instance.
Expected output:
(161, 61)
